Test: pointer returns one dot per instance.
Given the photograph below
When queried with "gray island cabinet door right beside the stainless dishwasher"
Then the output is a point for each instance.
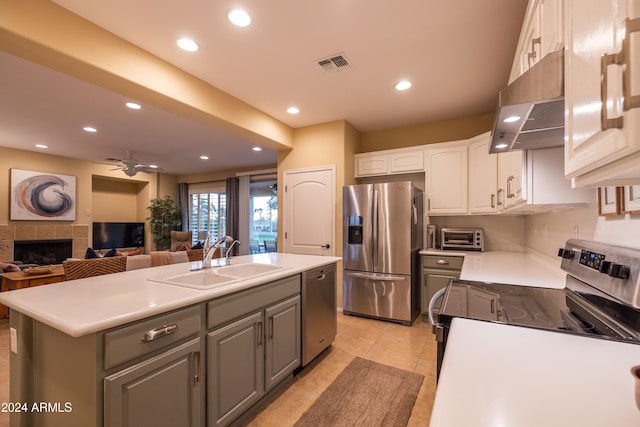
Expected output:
(282, 340)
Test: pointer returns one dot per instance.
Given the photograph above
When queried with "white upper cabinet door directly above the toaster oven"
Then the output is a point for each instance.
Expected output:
(446, 179)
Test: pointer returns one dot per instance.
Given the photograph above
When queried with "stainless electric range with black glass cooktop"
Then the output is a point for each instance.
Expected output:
(601, 298)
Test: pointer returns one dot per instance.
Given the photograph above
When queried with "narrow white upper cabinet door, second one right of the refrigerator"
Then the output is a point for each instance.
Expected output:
(483, 176)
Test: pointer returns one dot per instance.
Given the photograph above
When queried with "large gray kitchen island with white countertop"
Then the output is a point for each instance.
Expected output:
(125, 350)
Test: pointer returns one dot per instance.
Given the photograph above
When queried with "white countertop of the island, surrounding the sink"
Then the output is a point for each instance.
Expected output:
(81, 307)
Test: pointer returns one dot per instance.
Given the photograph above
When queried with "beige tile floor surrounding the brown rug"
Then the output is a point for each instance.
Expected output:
(413, 349)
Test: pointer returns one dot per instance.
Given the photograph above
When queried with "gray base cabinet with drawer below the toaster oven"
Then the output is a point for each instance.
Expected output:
(437, 270)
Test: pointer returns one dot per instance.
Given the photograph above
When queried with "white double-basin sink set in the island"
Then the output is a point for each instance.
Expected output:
(217, 276)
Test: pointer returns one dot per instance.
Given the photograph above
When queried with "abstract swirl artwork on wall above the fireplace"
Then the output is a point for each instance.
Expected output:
(42, 196)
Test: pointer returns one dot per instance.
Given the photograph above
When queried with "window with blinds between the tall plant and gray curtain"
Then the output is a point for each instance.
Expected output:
(207, 212)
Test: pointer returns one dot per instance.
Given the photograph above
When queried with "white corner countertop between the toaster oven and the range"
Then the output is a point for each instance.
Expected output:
(514, 268)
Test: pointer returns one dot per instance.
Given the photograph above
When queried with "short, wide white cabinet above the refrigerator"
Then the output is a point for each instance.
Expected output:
(389, 162)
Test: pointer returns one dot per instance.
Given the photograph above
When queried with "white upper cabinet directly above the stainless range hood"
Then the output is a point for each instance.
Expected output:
(542, 33)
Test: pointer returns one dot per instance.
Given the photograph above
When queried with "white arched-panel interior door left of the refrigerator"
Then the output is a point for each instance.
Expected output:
(309, 211)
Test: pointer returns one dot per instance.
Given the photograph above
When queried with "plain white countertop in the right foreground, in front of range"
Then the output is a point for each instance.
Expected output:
(531, 378)
